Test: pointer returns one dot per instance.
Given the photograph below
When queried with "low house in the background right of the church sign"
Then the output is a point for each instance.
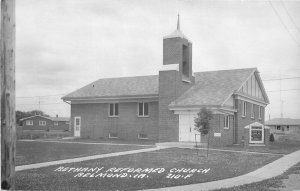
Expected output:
(284, 128)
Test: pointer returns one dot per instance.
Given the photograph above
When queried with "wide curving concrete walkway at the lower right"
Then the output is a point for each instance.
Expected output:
(271, 170)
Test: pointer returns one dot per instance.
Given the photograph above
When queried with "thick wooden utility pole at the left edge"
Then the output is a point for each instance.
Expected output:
(8, 119)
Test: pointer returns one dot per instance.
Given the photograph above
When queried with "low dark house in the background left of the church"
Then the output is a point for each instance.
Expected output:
(38, 122)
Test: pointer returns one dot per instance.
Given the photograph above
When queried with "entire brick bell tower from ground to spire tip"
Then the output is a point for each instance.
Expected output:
(175, 78)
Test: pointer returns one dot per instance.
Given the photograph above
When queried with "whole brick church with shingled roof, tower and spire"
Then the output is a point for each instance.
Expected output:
(162, 107)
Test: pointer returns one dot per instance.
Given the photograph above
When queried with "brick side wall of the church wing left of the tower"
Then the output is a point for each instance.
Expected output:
(95, 122)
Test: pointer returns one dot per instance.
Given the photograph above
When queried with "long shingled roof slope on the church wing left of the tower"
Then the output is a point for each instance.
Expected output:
(117, 87)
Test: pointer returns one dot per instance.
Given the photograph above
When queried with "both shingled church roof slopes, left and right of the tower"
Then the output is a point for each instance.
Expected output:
(211, 88)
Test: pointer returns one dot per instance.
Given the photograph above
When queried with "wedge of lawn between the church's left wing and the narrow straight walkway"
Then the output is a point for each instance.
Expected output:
(29, 152)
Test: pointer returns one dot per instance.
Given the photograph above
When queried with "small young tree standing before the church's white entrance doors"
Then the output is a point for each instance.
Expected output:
(202, 123)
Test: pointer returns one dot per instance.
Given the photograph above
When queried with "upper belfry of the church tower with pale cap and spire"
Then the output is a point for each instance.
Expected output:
(177, 49)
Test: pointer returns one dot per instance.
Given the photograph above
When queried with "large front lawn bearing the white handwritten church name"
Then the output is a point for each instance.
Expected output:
(163, 168)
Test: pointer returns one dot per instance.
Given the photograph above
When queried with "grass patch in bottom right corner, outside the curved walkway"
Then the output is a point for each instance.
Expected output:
(272, 184)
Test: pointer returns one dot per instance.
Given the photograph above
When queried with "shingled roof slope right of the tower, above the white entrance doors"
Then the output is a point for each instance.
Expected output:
(213, 88)
